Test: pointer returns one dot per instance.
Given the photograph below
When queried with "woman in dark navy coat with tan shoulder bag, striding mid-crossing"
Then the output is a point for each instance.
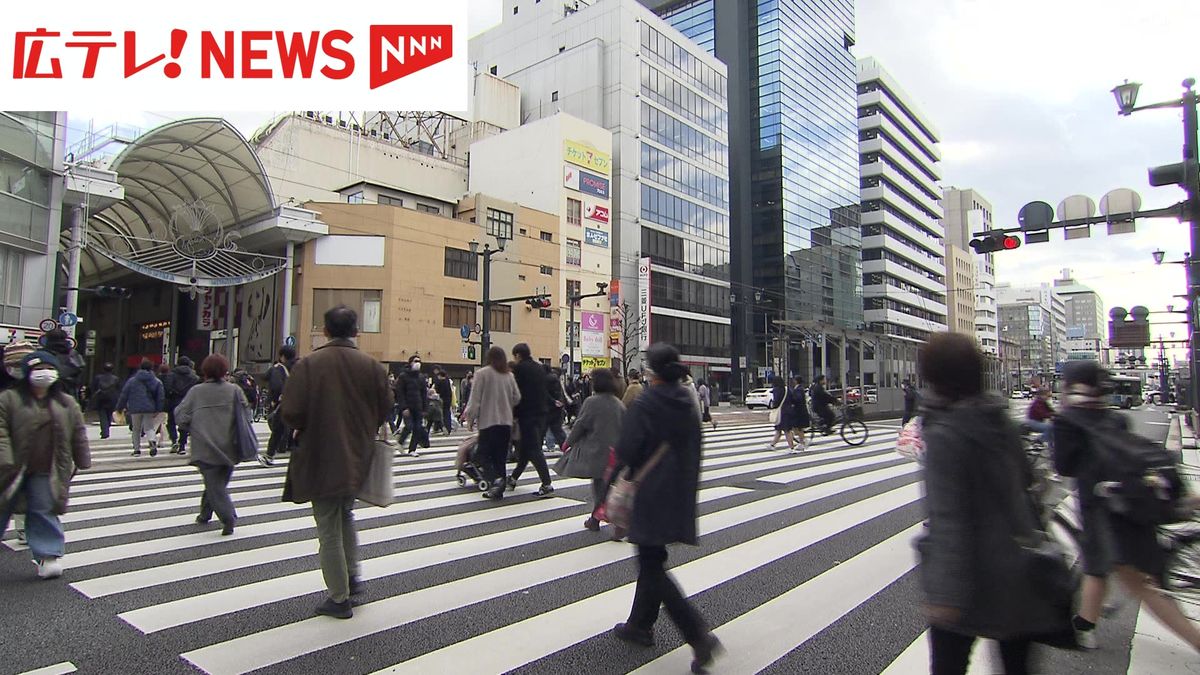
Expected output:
(665, 507)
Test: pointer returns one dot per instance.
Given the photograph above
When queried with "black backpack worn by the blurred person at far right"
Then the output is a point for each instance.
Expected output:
(1141, 479)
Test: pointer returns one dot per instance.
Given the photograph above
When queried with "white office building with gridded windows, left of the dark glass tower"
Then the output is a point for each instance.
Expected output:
(616, 65)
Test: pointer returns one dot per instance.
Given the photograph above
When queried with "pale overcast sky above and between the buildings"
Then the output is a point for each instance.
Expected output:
(1021, 93)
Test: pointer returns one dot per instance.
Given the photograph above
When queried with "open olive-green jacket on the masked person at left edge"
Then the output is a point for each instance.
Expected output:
(71, 451)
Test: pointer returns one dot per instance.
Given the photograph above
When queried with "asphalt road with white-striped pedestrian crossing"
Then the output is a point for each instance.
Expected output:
(805, 566)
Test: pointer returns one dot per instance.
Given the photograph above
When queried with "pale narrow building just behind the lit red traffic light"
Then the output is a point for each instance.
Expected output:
(968, 213)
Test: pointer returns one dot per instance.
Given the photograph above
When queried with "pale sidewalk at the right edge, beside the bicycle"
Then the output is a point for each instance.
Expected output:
(1155, 649)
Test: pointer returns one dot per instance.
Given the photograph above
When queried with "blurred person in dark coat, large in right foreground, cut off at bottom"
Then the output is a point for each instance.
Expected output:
(971, 560)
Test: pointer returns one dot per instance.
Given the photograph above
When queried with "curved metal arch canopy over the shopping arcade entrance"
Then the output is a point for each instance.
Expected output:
(191, 187)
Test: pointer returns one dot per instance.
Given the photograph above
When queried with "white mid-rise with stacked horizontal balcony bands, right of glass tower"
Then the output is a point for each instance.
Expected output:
(904, 254)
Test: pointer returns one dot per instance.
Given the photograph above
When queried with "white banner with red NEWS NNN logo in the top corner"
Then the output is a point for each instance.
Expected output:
(236, 56)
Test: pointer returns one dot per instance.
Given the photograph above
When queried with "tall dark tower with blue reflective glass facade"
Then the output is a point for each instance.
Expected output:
(794, 160)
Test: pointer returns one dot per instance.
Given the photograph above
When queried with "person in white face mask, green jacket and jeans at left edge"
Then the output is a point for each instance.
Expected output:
(43, 444)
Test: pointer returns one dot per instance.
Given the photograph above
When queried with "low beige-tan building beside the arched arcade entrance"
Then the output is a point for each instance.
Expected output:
(415, 283)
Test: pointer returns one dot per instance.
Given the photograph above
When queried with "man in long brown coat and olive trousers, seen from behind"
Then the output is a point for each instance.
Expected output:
(338, 399)
